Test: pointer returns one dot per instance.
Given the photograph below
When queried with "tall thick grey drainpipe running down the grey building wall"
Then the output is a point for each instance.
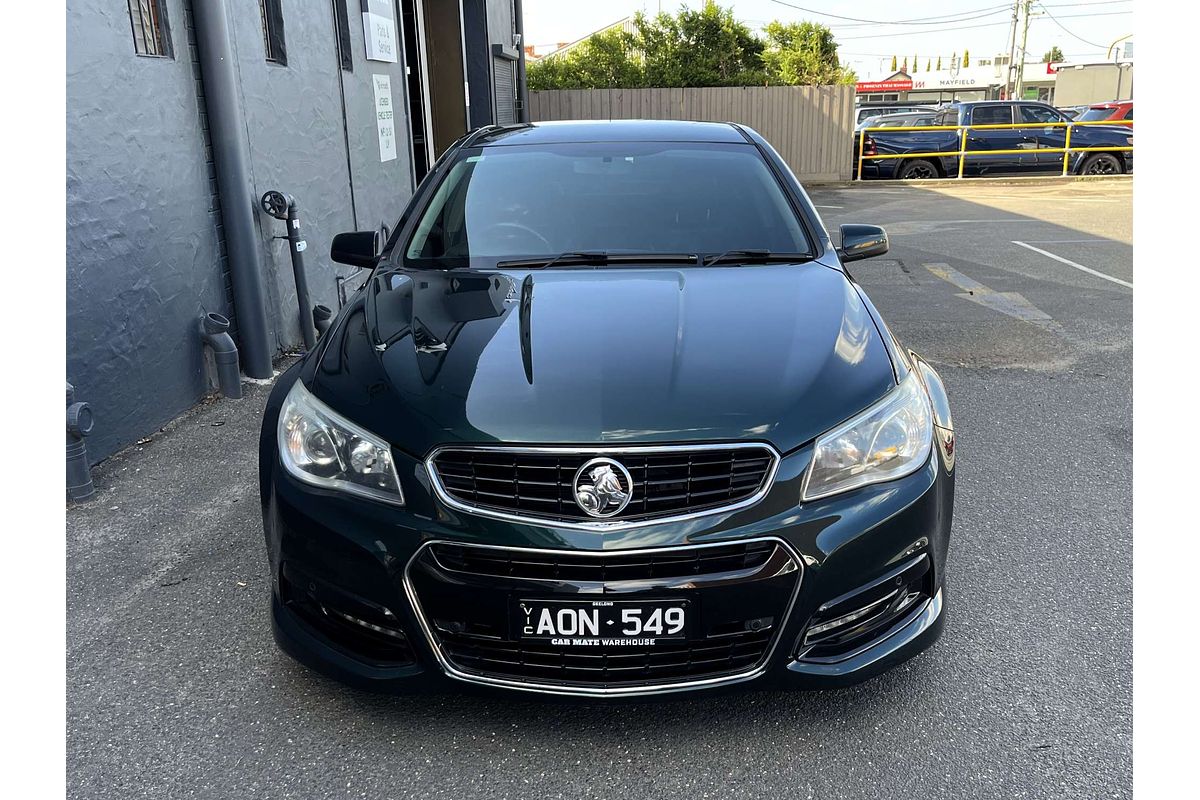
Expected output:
(231, 153)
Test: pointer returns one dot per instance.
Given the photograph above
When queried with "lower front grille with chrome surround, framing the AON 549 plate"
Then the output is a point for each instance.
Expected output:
(469, 596)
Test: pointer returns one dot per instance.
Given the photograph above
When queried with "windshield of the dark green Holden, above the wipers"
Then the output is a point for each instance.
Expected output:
(517, 202)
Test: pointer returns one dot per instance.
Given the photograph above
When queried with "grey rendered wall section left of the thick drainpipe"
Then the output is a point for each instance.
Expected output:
(142, 249)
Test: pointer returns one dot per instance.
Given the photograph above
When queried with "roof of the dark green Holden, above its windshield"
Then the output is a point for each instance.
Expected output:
(565, 131)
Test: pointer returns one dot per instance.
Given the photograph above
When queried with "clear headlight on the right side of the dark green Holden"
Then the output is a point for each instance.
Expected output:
(889, 441)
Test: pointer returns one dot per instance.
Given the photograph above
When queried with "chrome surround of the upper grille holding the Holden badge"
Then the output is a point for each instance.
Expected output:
(613, 452)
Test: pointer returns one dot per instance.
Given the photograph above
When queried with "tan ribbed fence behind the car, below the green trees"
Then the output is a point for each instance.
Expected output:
(811, 127)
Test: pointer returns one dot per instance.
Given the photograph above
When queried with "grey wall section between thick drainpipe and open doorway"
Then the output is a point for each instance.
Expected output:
(299, 146)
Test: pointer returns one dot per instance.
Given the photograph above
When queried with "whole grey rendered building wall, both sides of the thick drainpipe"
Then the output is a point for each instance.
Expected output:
(145, 243)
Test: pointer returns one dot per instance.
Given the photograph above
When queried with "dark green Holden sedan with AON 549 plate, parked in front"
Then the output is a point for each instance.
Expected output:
(608, 418)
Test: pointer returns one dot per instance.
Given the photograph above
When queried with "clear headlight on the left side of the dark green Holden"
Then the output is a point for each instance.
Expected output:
(321, 447)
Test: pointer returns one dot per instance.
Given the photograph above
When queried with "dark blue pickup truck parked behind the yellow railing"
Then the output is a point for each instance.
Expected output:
(1021, 149)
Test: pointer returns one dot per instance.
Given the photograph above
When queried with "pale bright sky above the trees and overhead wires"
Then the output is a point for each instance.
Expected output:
(1083, 29)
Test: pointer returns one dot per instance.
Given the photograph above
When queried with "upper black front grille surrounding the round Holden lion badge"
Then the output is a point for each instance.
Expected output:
(667, 482)
